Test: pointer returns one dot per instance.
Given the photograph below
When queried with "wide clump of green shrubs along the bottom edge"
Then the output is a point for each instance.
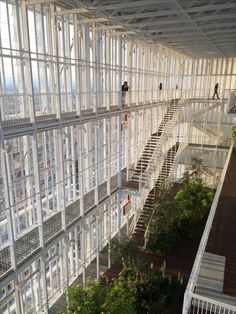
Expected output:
(135, 291)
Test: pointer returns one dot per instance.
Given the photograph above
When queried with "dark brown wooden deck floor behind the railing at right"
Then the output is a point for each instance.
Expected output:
(222, 239)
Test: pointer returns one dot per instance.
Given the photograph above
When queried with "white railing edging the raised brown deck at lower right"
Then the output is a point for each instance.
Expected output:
(189, 295)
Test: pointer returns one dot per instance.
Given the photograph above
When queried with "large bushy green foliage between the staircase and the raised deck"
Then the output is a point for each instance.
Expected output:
(179, 212)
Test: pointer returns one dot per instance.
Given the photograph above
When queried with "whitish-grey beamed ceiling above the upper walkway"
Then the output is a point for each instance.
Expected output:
(196, 28)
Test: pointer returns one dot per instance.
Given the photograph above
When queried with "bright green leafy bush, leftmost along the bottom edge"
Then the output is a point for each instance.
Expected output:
(86, 299)
